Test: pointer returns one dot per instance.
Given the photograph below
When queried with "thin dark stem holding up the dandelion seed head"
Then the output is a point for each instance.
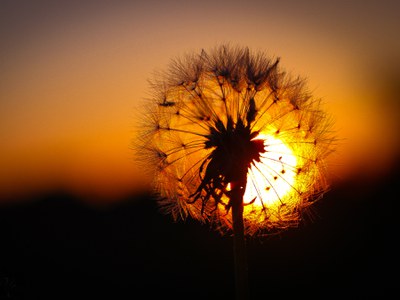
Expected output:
(239, 246)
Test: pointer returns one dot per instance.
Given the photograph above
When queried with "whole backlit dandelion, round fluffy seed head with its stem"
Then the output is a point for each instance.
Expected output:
(233, 141)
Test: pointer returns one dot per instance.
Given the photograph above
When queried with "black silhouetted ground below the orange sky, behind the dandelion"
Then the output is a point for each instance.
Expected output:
(55, 247)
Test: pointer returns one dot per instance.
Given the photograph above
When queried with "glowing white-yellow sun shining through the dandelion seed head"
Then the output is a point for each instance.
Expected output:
(272, 179)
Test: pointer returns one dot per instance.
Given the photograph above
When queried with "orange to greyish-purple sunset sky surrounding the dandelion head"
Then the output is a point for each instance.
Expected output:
(73, 75)
